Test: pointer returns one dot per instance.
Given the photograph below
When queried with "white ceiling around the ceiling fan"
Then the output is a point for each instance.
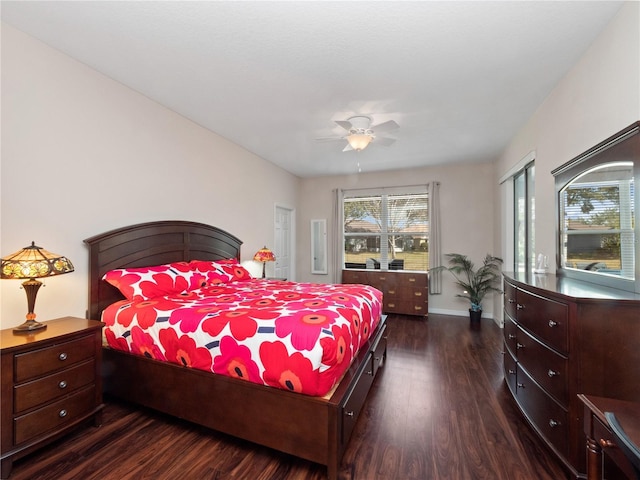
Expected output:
(460, 78)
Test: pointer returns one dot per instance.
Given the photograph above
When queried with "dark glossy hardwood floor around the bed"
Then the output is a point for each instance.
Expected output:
(439, 409)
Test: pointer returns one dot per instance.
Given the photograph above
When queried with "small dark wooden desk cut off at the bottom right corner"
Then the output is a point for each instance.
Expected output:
(599, 435)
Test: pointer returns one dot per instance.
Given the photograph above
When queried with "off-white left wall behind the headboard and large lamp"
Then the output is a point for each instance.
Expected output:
(82, 154)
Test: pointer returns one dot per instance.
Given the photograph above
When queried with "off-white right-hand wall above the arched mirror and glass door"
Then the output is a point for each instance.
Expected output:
(598, 97)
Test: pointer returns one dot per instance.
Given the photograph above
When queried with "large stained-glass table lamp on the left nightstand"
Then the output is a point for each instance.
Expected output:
(30, 263)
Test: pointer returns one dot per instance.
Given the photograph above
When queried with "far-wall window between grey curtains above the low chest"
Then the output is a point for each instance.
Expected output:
(386, 229)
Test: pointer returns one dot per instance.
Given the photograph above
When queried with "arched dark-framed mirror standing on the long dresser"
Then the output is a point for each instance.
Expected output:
(598, 214)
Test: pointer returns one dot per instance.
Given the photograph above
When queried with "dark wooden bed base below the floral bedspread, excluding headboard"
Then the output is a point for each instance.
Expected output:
(316, 429)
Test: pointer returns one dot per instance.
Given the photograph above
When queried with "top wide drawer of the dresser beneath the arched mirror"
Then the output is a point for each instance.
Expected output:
(545, 318)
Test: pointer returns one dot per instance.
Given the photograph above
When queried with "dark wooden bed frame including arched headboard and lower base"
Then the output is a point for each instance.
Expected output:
(316, 429)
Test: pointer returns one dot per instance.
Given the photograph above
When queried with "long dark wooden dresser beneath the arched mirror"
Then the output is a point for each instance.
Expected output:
(562, 338)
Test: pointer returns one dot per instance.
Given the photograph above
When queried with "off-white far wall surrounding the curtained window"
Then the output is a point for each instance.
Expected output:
(468, 201)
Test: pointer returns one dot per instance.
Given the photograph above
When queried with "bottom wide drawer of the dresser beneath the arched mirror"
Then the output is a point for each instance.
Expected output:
(550, 419)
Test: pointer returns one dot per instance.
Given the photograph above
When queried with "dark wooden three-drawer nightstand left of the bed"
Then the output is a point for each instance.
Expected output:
(51, 382)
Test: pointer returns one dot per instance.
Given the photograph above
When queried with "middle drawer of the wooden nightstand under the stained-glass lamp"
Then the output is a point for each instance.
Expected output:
(46, 389)
